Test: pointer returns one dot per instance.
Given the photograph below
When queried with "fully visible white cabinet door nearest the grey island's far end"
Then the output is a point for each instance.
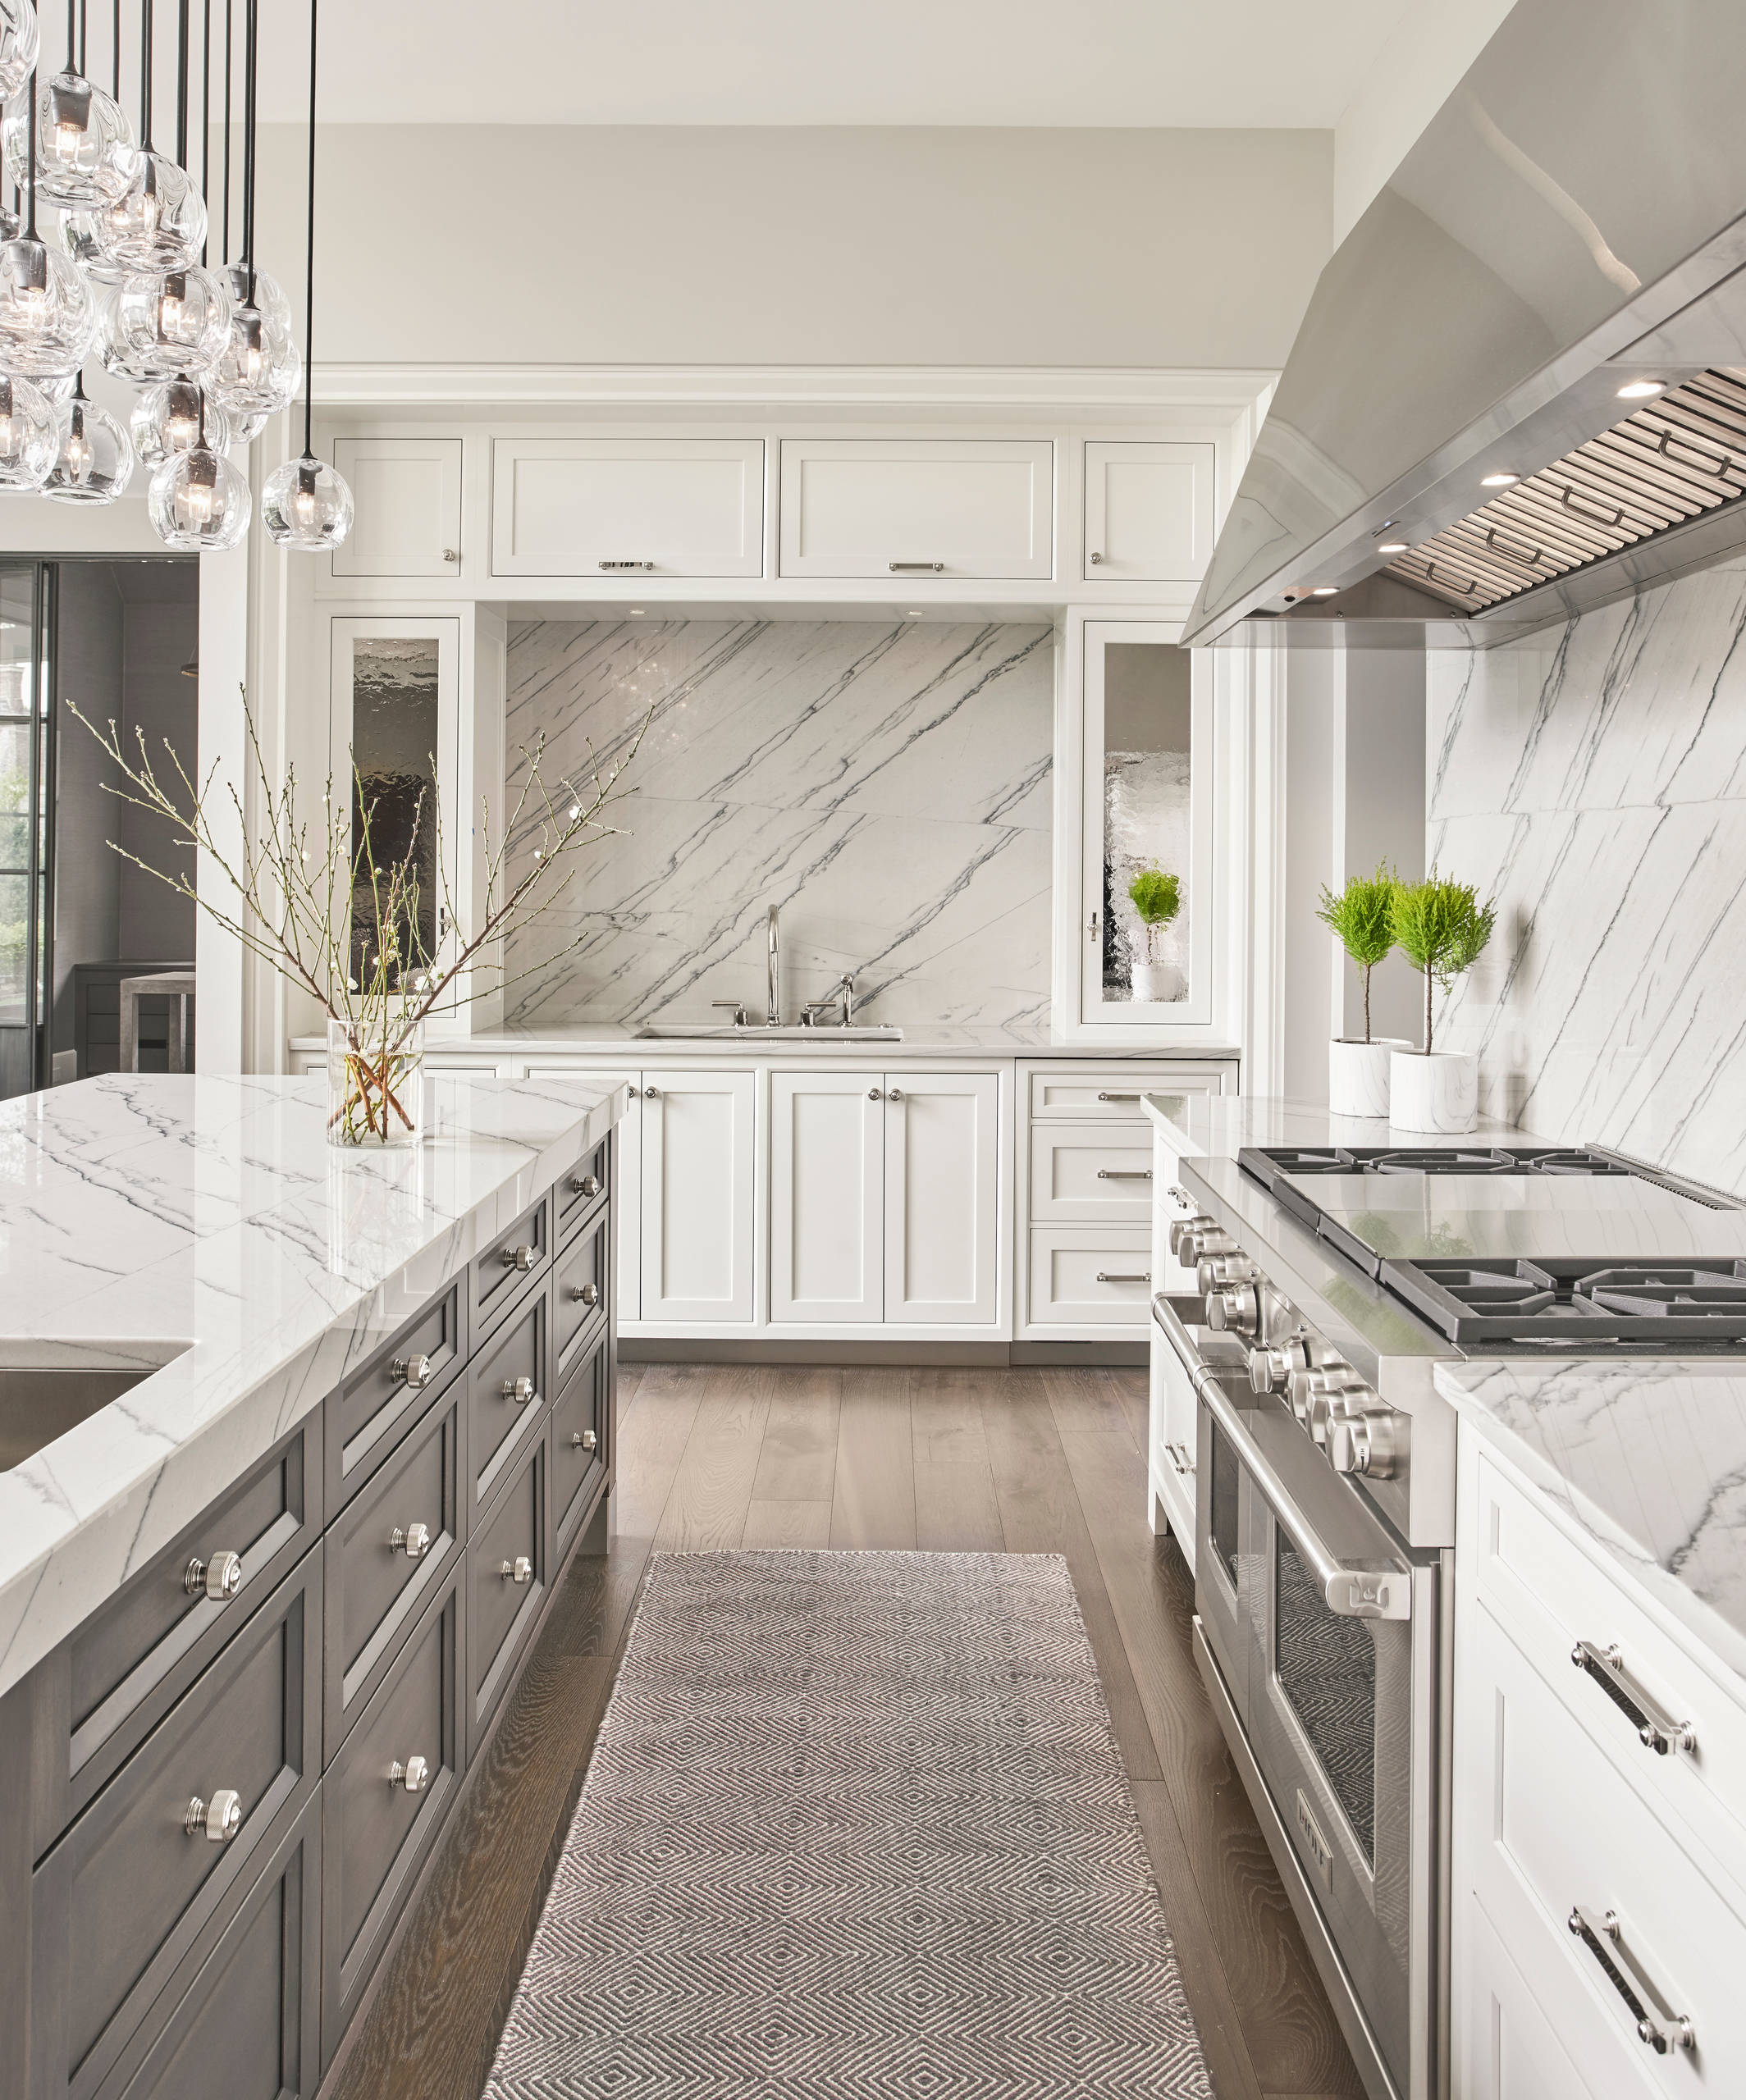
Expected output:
(699, 1196)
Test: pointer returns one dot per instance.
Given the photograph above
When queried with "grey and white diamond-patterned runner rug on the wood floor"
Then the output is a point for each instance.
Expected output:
(854, 1826)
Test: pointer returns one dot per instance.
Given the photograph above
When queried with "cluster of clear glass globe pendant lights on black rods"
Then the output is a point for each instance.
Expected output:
(125, 276)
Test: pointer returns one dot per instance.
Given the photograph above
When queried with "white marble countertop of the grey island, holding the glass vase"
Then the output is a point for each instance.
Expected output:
(205, 1230)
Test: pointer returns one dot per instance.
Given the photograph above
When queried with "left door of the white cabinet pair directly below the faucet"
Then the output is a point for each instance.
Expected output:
(827, 1196)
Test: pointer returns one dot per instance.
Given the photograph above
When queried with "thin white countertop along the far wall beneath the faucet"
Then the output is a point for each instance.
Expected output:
(919, 1041)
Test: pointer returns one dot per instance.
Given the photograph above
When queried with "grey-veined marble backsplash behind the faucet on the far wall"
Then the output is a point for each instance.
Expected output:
(886, 784)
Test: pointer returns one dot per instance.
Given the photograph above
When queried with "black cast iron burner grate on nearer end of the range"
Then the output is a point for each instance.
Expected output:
(1659, 1305)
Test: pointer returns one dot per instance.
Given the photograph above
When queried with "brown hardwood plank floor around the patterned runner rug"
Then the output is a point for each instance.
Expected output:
(722, 1456)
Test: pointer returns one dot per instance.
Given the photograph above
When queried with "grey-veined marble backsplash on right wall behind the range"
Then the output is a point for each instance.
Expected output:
(1596, 782)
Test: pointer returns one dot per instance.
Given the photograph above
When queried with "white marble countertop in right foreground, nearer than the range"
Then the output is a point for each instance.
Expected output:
(1648, 1461)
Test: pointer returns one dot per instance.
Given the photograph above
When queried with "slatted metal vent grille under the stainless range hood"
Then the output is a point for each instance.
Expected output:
(1669, 463)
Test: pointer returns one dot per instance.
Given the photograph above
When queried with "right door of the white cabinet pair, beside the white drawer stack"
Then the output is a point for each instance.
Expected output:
(942, 1198)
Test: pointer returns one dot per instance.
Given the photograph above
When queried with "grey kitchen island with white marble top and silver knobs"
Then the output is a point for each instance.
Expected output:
(297, 1444)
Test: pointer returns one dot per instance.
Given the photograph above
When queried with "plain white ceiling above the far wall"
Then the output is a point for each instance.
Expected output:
(827, 62)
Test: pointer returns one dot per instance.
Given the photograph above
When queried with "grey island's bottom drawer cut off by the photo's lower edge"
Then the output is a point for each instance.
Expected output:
(247, 2028)
